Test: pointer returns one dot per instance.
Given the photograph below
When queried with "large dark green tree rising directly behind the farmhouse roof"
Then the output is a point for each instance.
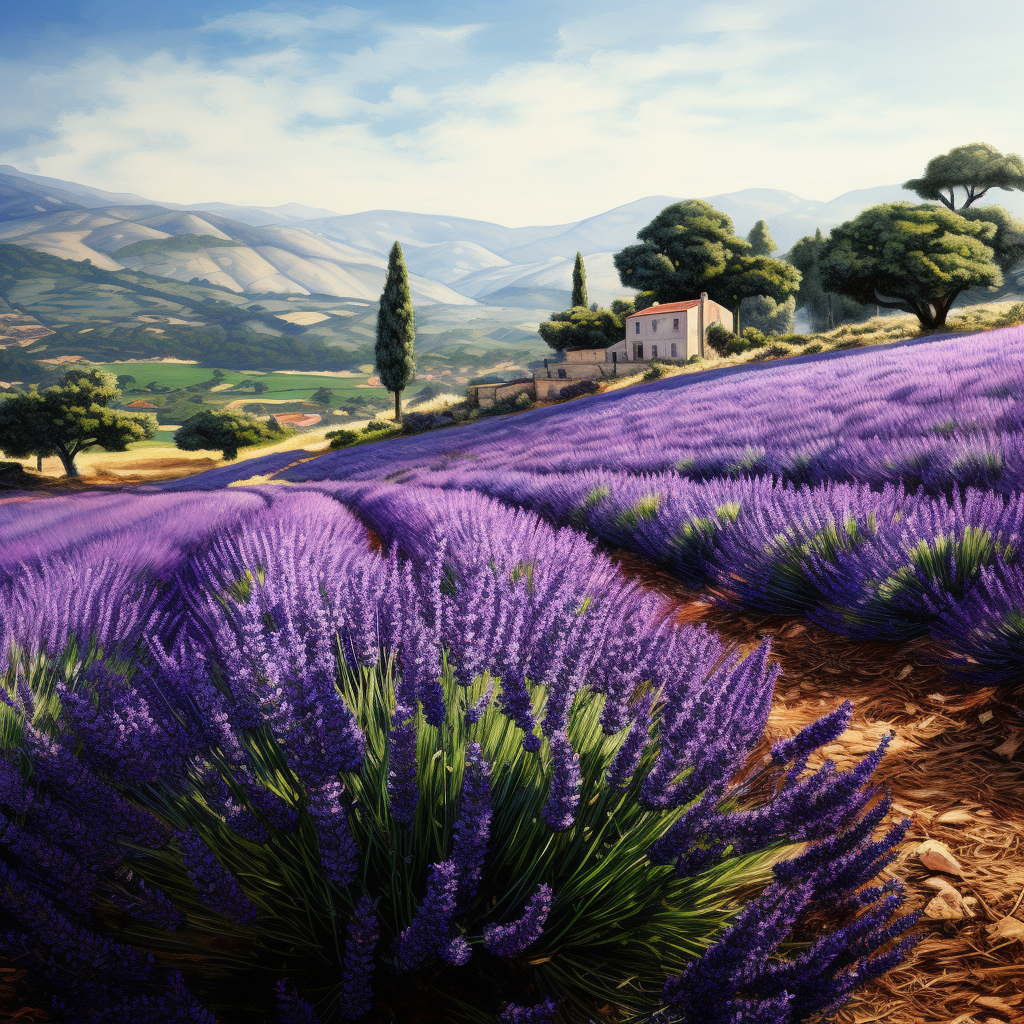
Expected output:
(691, 248)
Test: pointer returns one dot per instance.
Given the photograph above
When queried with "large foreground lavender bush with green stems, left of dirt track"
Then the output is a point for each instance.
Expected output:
(479, 776)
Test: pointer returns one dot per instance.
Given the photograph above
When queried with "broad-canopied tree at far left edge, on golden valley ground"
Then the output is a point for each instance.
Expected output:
(66, 419)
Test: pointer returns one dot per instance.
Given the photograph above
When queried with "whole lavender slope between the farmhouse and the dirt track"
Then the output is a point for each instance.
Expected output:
(879, 493)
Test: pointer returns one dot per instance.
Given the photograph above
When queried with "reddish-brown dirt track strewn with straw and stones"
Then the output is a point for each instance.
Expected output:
(960, 779)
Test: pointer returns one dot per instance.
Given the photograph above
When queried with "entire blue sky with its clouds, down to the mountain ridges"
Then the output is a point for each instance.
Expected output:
(522, 113)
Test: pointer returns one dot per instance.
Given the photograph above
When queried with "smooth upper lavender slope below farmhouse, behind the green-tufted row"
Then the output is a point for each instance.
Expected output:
(942, 415)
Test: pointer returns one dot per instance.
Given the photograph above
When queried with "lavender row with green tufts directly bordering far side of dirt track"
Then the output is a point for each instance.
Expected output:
(872, 565)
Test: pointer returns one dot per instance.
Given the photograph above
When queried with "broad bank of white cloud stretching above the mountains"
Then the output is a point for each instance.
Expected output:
(600, 123)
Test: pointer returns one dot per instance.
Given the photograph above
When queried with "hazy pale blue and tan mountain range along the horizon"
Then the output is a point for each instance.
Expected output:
(300, 250)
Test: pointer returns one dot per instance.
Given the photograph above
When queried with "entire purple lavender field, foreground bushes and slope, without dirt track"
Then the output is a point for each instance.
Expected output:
(395, 738)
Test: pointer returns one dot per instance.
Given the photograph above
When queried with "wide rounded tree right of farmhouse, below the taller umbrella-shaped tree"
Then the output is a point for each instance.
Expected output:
(920, 259)
